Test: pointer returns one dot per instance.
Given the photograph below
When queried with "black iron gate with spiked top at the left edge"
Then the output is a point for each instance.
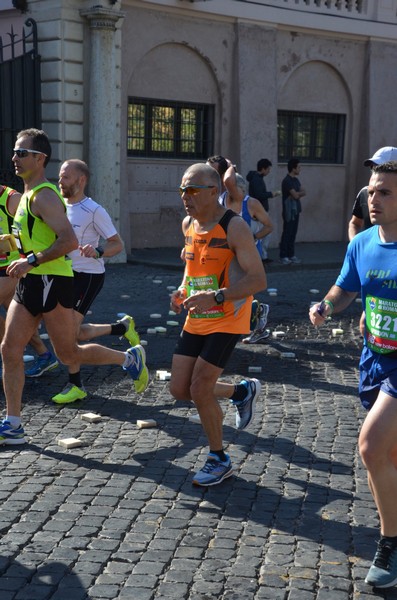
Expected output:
(20, 98)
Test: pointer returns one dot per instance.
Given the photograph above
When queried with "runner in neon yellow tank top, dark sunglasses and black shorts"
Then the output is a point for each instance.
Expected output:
(44, 289)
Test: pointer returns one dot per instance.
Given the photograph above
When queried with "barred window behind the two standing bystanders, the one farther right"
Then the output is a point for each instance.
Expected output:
(311, 137)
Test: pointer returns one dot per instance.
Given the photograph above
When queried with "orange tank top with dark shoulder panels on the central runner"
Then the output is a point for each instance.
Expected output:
(211, 265)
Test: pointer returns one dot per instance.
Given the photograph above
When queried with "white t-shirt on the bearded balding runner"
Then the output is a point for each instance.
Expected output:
(90, 222)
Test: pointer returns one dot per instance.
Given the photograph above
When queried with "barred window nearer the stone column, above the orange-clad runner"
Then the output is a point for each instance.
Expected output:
(166, 129)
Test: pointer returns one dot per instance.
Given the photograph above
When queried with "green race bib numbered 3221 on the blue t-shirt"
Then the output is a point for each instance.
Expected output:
(381, 323)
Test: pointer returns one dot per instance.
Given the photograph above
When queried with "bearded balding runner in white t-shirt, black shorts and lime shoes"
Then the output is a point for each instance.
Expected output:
(90, 222)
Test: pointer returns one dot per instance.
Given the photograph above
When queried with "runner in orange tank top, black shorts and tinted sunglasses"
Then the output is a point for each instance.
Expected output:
(223, 269)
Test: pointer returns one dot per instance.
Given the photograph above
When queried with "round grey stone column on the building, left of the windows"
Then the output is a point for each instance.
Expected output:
(103, 96)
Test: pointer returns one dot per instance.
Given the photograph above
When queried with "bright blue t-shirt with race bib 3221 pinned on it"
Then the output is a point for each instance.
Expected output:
(370, 265)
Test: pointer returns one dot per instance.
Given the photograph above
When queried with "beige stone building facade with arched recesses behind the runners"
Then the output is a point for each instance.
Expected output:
(249, 65)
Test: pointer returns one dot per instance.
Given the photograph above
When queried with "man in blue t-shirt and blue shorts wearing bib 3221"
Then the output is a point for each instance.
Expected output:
(370, 268)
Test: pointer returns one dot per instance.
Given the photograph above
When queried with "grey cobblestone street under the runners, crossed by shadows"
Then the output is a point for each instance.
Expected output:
(118, 517)
